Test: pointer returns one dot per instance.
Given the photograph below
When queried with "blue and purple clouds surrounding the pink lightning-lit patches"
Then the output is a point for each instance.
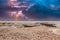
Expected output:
(35, 10)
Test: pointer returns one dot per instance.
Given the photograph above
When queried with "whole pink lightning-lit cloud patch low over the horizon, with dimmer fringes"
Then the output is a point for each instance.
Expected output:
(16, 15)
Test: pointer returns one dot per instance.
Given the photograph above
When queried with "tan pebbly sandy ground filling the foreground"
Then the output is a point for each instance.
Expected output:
(18, 31)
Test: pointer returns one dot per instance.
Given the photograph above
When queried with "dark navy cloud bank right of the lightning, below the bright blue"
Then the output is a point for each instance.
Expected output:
(42, 13)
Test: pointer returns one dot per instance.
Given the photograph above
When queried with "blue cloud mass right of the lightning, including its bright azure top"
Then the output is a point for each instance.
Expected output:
(42, 11)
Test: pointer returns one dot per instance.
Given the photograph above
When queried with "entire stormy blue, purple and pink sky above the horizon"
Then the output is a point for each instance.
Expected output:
(42, 10)
